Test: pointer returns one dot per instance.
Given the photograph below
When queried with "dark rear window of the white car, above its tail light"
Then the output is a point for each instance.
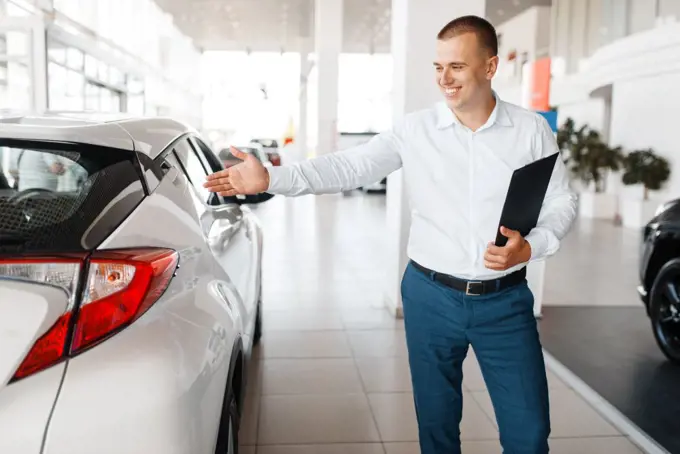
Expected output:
(59, 197)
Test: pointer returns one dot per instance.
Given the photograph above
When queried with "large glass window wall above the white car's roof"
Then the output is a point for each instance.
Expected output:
(102, 55)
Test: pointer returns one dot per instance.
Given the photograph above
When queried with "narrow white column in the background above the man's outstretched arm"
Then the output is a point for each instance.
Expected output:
(328, 43)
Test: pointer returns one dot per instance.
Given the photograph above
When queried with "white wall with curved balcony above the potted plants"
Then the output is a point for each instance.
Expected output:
(643, 72)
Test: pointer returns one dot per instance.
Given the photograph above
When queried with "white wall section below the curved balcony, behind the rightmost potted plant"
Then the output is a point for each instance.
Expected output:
(644, 115)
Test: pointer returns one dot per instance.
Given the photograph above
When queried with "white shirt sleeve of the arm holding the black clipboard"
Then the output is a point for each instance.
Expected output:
(559, 207)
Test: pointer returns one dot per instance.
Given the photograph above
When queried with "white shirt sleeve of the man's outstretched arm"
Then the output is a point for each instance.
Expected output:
(341, 171)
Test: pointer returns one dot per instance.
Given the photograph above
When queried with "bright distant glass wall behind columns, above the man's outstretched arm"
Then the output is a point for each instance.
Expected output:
(258, 95)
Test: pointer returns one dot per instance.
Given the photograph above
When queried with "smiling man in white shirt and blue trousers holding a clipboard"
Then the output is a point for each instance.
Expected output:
(459, 289)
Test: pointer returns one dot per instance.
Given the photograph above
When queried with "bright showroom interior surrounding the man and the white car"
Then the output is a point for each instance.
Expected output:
(331, 373)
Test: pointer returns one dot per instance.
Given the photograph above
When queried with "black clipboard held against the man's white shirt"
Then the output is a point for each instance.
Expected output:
(525, 197)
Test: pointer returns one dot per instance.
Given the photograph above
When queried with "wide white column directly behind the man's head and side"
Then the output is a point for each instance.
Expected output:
(415, 24)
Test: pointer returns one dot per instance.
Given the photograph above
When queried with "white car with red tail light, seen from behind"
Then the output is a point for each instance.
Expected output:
(129, 295)
